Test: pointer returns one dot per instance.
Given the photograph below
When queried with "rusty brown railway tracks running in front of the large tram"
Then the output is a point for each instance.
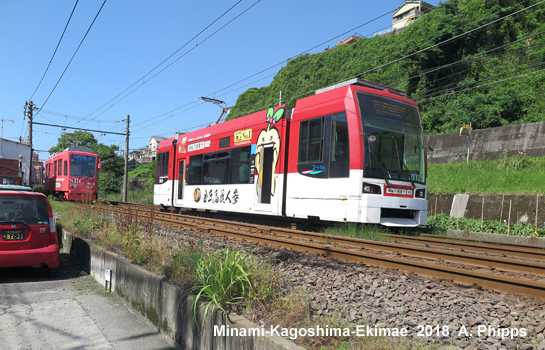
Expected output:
(507, 267)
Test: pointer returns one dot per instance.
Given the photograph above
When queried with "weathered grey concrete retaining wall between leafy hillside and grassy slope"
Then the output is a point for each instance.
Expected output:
(488, 144)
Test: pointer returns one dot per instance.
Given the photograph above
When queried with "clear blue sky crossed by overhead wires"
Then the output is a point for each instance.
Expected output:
(108, 77)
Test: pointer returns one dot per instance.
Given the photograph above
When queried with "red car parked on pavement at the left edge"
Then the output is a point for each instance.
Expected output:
(27, 226)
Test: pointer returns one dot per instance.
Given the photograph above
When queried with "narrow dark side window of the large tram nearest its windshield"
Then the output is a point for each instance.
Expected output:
(339, 165)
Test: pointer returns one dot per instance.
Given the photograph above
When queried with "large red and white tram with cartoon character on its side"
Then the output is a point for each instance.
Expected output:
(353, 152)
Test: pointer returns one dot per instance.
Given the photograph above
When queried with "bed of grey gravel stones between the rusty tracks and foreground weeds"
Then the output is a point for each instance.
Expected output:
(366, 295)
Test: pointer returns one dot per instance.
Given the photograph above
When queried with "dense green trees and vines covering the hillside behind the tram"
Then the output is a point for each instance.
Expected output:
(478, 61)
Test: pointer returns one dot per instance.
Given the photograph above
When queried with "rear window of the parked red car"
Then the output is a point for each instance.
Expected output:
(29, 209)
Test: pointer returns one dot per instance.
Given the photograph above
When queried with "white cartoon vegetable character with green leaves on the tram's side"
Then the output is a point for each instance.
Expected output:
(267, 154)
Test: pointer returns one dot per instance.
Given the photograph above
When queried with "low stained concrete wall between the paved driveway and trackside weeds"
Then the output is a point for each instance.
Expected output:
(167, 307)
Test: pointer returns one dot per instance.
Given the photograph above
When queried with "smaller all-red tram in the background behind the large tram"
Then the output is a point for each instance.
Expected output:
(73, 174)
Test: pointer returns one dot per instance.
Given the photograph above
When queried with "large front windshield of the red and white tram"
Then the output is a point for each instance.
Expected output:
(393, 139)
